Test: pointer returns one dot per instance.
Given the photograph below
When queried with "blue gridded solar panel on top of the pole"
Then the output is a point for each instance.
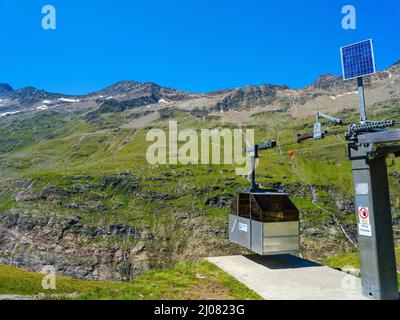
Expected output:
(358, 59)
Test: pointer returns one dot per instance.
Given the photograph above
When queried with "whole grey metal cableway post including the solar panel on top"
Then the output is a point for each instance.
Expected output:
(369, 143)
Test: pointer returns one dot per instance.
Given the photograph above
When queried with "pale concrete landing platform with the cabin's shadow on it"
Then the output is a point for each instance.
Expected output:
(286, 277)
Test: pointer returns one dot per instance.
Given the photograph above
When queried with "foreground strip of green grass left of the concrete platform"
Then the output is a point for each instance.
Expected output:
(200, 280)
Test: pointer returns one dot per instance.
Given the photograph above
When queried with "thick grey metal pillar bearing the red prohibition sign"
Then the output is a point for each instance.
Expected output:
(374, 222)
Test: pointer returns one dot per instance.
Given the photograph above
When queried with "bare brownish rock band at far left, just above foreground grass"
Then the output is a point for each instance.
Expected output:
(31, 240)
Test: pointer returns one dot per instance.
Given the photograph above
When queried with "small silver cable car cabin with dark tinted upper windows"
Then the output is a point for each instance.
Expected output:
(266, 223)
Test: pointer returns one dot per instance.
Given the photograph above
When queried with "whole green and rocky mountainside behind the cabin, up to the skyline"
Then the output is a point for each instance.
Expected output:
(76, 191)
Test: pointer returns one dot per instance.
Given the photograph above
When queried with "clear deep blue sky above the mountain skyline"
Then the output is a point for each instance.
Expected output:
(193, 45)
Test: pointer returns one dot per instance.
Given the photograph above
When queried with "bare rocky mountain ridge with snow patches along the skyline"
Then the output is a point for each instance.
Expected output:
(130, 94)
